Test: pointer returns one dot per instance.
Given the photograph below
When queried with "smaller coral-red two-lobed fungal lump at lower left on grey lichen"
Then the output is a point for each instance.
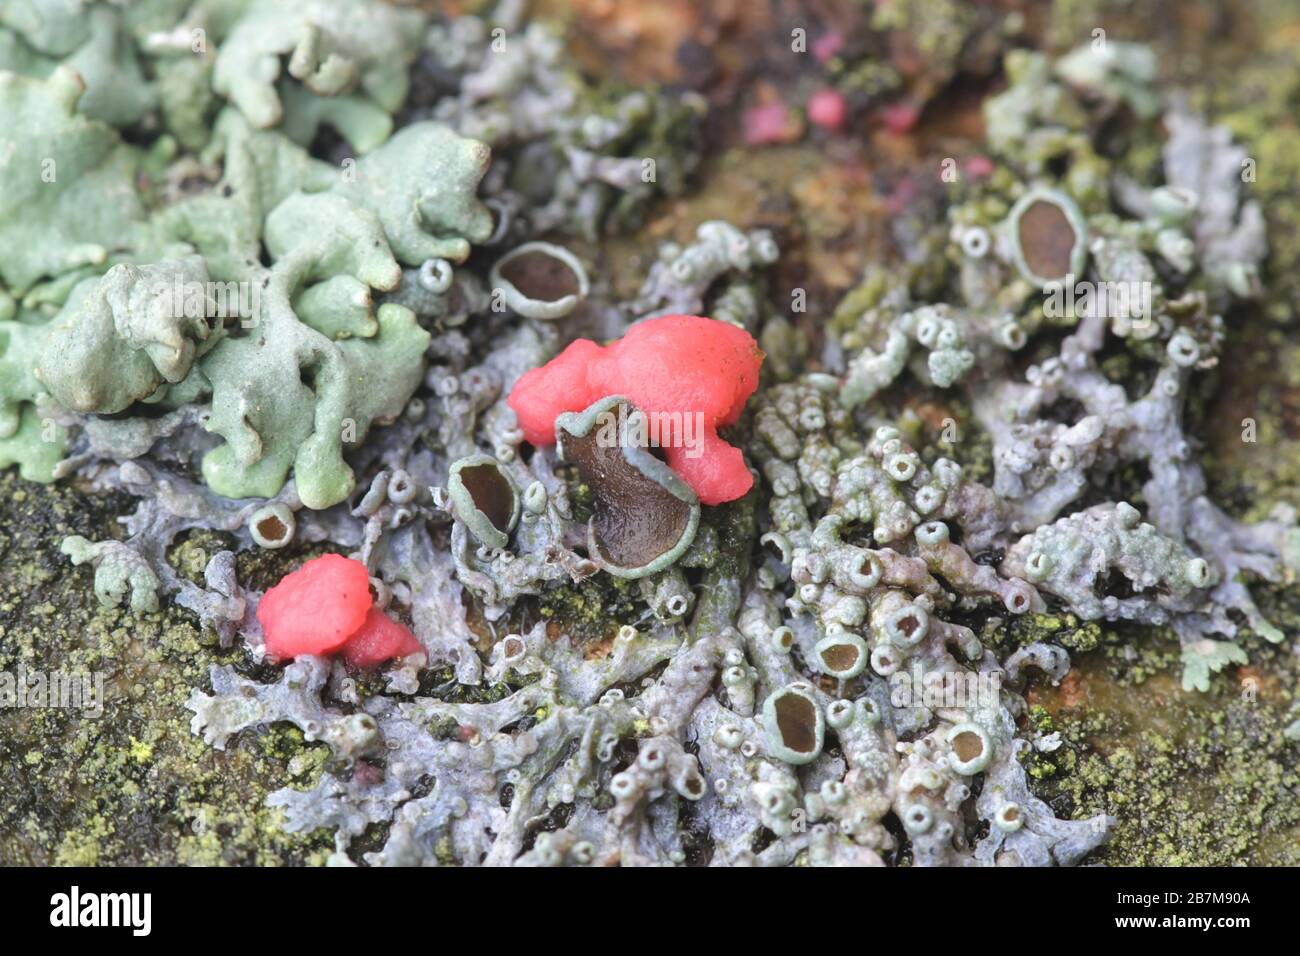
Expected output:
(326, 607)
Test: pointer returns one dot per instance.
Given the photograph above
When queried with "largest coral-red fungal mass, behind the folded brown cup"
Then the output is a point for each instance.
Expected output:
(677, 364)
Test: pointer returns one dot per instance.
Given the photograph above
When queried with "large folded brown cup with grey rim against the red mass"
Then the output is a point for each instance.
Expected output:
(644, 517)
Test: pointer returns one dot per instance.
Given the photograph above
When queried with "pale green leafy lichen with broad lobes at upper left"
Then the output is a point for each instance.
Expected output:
(333, 236)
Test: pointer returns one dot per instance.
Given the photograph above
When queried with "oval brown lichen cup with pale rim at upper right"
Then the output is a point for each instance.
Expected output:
(1048, 237)
